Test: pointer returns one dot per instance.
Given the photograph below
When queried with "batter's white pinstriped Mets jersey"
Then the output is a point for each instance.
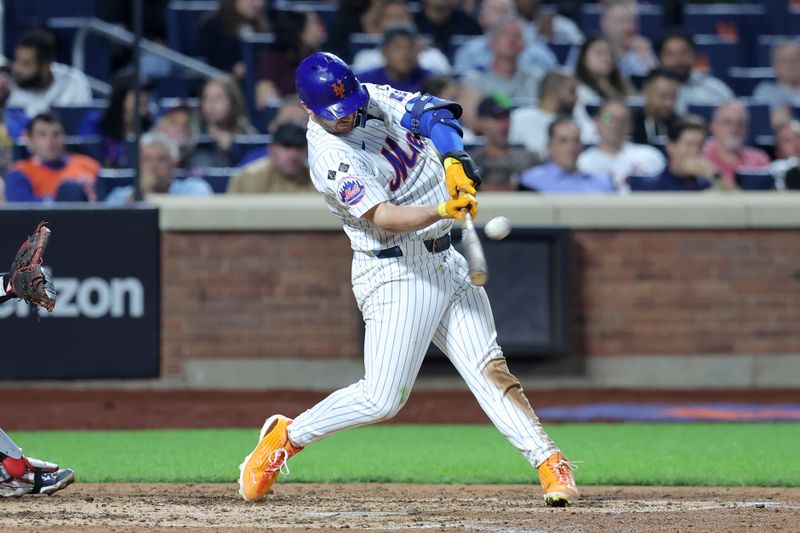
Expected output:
(379, 162)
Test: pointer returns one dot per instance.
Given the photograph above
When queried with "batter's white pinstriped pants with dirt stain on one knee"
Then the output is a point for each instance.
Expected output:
(407, 302)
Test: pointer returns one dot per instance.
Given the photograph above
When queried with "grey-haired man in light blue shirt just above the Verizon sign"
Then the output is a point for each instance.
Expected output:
(158, 161)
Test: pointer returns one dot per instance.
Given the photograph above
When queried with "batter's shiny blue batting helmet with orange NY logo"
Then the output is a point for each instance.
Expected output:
(328, 87)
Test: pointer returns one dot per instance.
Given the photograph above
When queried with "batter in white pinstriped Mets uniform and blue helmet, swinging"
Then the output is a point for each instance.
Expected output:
(374, 155)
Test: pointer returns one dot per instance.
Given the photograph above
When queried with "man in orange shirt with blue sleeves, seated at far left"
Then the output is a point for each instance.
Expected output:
(51, 173)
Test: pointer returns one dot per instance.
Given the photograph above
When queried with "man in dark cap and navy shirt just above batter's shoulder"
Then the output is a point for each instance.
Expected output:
(402, 70)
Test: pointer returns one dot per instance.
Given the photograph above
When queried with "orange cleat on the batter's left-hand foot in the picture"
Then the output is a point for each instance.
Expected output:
(260, 469)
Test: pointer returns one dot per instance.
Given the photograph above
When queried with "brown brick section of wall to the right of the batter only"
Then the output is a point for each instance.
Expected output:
(687, 292)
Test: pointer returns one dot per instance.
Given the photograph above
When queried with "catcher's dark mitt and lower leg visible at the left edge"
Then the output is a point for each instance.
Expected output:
(20, 475)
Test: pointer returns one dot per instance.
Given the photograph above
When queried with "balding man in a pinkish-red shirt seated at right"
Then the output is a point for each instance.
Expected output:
(726, 149)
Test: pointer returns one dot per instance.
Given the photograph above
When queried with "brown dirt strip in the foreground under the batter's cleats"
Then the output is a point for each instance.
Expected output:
(495, 508)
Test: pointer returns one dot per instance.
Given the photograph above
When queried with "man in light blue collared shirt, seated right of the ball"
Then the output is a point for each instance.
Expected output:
(561, 174)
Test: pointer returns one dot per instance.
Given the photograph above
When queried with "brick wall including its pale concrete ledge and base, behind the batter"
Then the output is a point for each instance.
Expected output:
(669, 291)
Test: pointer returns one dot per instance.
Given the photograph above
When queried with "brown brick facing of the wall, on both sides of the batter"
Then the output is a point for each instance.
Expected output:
(634, 292)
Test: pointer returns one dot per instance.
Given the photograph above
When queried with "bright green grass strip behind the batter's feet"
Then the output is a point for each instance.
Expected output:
(763, 454)
